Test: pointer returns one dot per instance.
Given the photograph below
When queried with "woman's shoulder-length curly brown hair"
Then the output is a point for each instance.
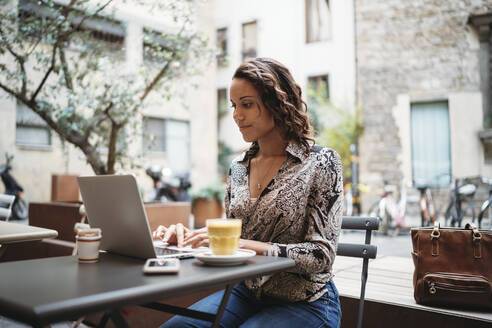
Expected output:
(281, 96)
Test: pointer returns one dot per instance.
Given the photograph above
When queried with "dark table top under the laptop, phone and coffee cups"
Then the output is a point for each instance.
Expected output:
(49, 290)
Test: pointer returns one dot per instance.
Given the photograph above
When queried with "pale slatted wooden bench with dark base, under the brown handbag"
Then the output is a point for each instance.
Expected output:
(389, 298)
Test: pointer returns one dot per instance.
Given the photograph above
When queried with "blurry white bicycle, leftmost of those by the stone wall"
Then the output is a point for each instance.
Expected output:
(390, 211)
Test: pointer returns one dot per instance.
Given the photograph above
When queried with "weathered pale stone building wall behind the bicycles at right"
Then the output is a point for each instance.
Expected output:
(413, 53)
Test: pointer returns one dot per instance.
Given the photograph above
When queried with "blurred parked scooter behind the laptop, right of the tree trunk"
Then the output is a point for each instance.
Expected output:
(169, 187)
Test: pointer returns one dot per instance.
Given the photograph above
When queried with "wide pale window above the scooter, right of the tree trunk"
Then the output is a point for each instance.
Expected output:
(171, 137)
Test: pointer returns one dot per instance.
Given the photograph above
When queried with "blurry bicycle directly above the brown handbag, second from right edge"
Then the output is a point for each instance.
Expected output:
(460, 195)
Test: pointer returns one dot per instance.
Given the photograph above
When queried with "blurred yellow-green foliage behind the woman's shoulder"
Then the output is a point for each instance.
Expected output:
(335, 128)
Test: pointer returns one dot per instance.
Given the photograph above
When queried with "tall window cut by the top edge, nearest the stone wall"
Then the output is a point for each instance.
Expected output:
(318, 20)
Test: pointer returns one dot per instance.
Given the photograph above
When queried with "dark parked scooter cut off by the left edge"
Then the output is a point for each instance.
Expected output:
(19, 208)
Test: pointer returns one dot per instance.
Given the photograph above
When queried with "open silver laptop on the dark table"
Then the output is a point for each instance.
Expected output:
(113, 204)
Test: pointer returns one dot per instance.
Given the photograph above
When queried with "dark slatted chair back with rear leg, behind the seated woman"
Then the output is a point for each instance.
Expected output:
(365, 251)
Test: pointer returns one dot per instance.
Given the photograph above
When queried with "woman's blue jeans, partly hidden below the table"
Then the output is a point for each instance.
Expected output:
(243, 310)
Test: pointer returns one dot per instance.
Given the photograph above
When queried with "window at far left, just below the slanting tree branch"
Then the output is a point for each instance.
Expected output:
(31, 130)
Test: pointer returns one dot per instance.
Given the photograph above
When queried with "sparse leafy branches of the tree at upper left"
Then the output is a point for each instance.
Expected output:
(53, 62)
